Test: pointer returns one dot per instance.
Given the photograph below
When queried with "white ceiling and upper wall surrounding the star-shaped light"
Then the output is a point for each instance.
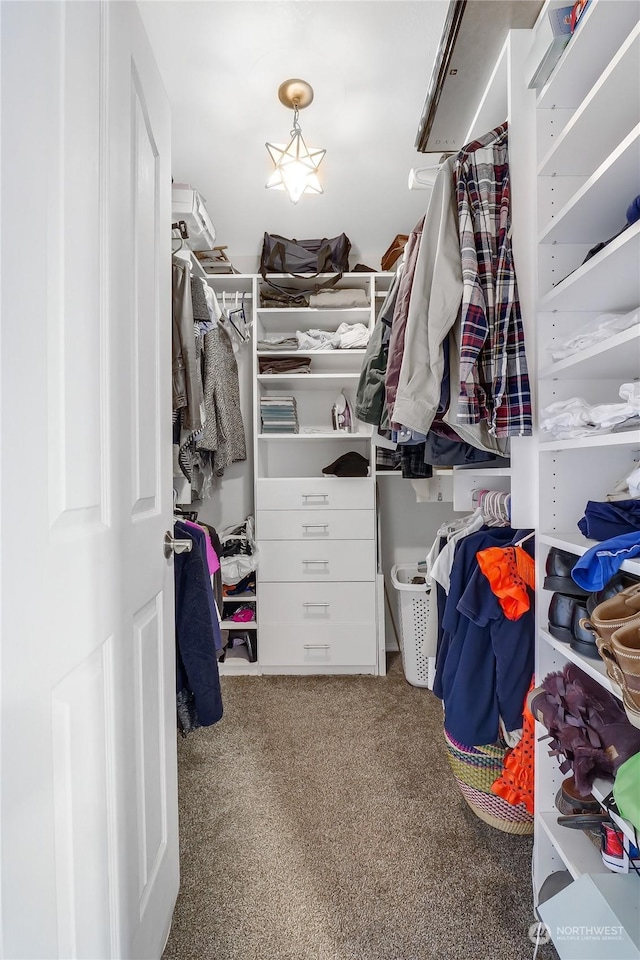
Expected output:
(369, 62)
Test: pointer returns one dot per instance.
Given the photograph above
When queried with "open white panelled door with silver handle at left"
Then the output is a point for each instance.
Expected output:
(88, 778)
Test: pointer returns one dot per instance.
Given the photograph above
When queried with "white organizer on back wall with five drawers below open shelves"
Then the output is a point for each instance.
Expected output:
(317, 591)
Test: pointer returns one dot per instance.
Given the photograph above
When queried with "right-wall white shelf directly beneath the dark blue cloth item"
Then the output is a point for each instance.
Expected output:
(608, 282)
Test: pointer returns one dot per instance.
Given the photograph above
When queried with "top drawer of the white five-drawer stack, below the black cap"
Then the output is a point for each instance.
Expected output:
(315, 493)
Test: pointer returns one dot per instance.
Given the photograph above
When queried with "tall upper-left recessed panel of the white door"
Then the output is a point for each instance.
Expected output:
(76, 371)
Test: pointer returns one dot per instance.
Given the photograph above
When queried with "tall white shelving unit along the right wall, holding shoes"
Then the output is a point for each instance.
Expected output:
(588, 146)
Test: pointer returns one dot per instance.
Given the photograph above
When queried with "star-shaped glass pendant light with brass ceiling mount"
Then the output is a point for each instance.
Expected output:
(296, 164)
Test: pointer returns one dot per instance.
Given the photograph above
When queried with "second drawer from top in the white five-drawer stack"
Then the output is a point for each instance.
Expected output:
(315, 525)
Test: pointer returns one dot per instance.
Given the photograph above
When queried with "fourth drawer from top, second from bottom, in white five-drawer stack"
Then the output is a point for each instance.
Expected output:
(316, 603)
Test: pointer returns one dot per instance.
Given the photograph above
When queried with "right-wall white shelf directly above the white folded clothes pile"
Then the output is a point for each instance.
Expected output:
(619, 356)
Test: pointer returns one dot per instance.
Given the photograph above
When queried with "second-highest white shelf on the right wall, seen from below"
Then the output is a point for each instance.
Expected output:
(577, 152)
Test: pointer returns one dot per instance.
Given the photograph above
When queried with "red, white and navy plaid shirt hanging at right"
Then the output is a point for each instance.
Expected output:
(493, 367)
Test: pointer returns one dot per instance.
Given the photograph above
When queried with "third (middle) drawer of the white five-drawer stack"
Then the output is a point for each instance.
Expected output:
(293, 560)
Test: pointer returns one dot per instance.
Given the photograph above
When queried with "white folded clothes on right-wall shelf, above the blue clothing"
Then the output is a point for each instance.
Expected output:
(575, 417)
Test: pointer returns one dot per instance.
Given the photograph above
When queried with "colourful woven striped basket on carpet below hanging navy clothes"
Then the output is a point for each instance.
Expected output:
(475, 770)
